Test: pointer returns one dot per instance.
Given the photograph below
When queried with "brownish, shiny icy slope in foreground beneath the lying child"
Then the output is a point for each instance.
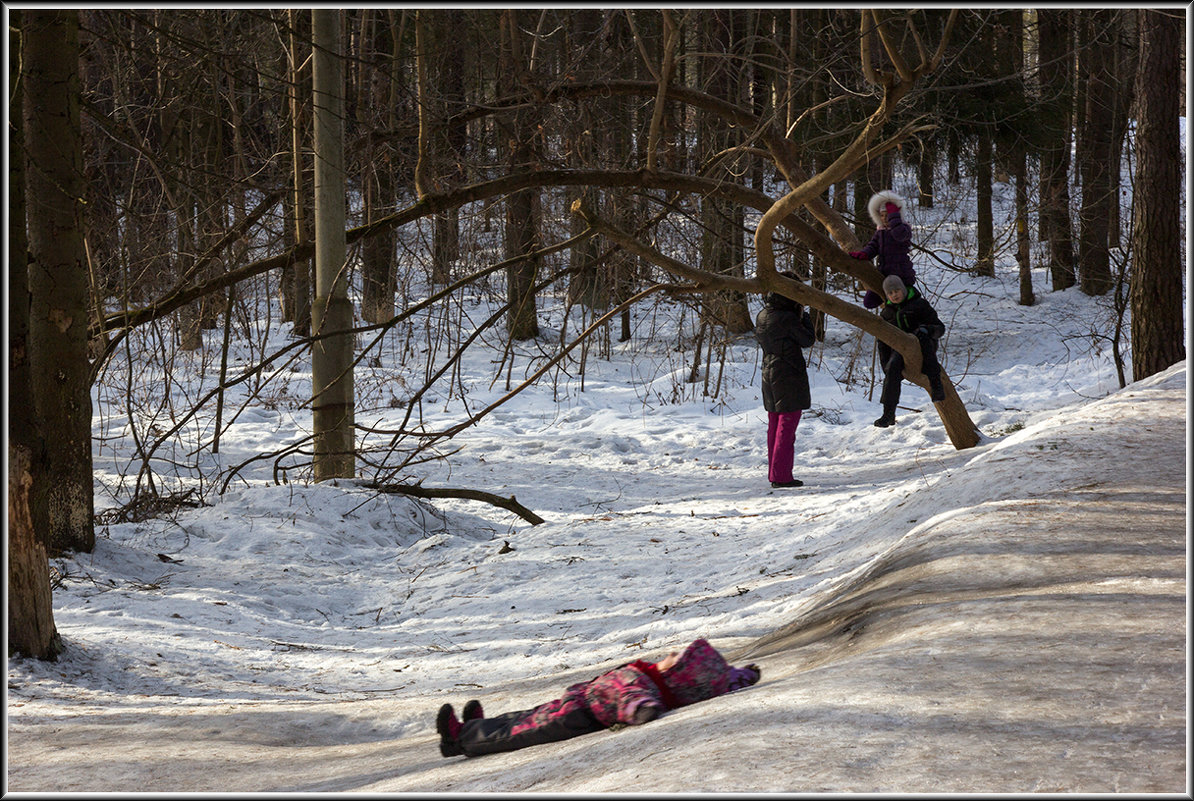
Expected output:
(1032, 643)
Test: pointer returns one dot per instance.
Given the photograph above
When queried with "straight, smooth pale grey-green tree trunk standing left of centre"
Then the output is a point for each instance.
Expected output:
(333, 403)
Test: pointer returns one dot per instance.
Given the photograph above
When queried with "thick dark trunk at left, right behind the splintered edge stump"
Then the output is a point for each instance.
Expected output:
(58, 279)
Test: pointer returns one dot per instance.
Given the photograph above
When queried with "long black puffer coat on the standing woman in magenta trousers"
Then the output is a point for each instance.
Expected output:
(783, 329)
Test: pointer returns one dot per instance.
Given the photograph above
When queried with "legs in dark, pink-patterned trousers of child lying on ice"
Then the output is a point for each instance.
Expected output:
(557, 720)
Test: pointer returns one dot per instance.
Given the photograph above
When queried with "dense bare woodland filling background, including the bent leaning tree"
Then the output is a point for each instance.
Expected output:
(182, 171)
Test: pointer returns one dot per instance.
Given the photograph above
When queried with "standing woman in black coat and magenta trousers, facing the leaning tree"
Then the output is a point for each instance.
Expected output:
(783, 329)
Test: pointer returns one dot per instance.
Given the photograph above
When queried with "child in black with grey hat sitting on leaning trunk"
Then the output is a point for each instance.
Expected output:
(908, 311)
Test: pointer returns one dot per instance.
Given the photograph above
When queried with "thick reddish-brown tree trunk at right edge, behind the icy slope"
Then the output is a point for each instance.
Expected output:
(1156, 291)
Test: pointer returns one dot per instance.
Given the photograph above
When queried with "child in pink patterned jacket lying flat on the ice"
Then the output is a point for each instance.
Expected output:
(633, 694)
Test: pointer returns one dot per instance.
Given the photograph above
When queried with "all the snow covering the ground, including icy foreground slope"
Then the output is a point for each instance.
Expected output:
(1005, 619)
